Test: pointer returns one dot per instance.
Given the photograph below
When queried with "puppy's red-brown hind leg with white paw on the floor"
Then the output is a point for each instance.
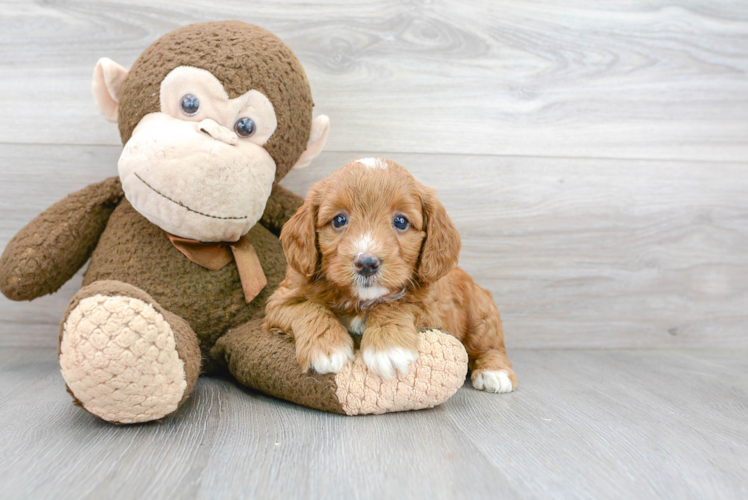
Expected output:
(491, 370)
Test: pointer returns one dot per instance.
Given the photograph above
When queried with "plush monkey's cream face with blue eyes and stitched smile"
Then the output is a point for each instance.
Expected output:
(197, 168)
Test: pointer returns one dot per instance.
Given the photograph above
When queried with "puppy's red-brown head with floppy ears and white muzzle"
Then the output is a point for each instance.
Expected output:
(371, 228)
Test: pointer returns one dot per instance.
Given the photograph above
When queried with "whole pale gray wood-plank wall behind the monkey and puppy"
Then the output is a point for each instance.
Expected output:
(593, 155)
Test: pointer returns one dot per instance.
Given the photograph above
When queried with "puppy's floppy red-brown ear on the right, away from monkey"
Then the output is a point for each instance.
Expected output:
(441, 247)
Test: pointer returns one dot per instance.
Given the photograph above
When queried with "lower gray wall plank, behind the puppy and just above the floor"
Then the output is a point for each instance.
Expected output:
(577, 253)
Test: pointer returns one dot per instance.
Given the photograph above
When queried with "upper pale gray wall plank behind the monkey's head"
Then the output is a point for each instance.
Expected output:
(642, 79)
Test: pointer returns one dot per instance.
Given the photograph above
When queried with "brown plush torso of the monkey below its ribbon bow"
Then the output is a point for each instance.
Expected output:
(135, 251)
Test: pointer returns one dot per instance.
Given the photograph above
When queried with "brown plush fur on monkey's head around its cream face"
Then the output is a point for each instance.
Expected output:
(242, 57)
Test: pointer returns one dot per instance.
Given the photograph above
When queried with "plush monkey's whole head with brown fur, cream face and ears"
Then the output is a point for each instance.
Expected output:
(211, 116)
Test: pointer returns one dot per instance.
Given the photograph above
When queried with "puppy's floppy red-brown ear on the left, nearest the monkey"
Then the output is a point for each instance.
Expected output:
(299, 236)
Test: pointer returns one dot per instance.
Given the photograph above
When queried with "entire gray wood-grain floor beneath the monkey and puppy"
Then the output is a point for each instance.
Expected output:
(584, 424)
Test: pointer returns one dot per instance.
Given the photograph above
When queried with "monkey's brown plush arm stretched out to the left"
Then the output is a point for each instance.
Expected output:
(52, 247)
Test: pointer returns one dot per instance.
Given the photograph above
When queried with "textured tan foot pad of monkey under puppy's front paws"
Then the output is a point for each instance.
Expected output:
(431, 380)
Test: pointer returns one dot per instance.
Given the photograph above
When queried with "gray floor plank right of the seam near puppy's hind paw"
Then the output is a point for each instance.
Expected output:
(617, 424)
